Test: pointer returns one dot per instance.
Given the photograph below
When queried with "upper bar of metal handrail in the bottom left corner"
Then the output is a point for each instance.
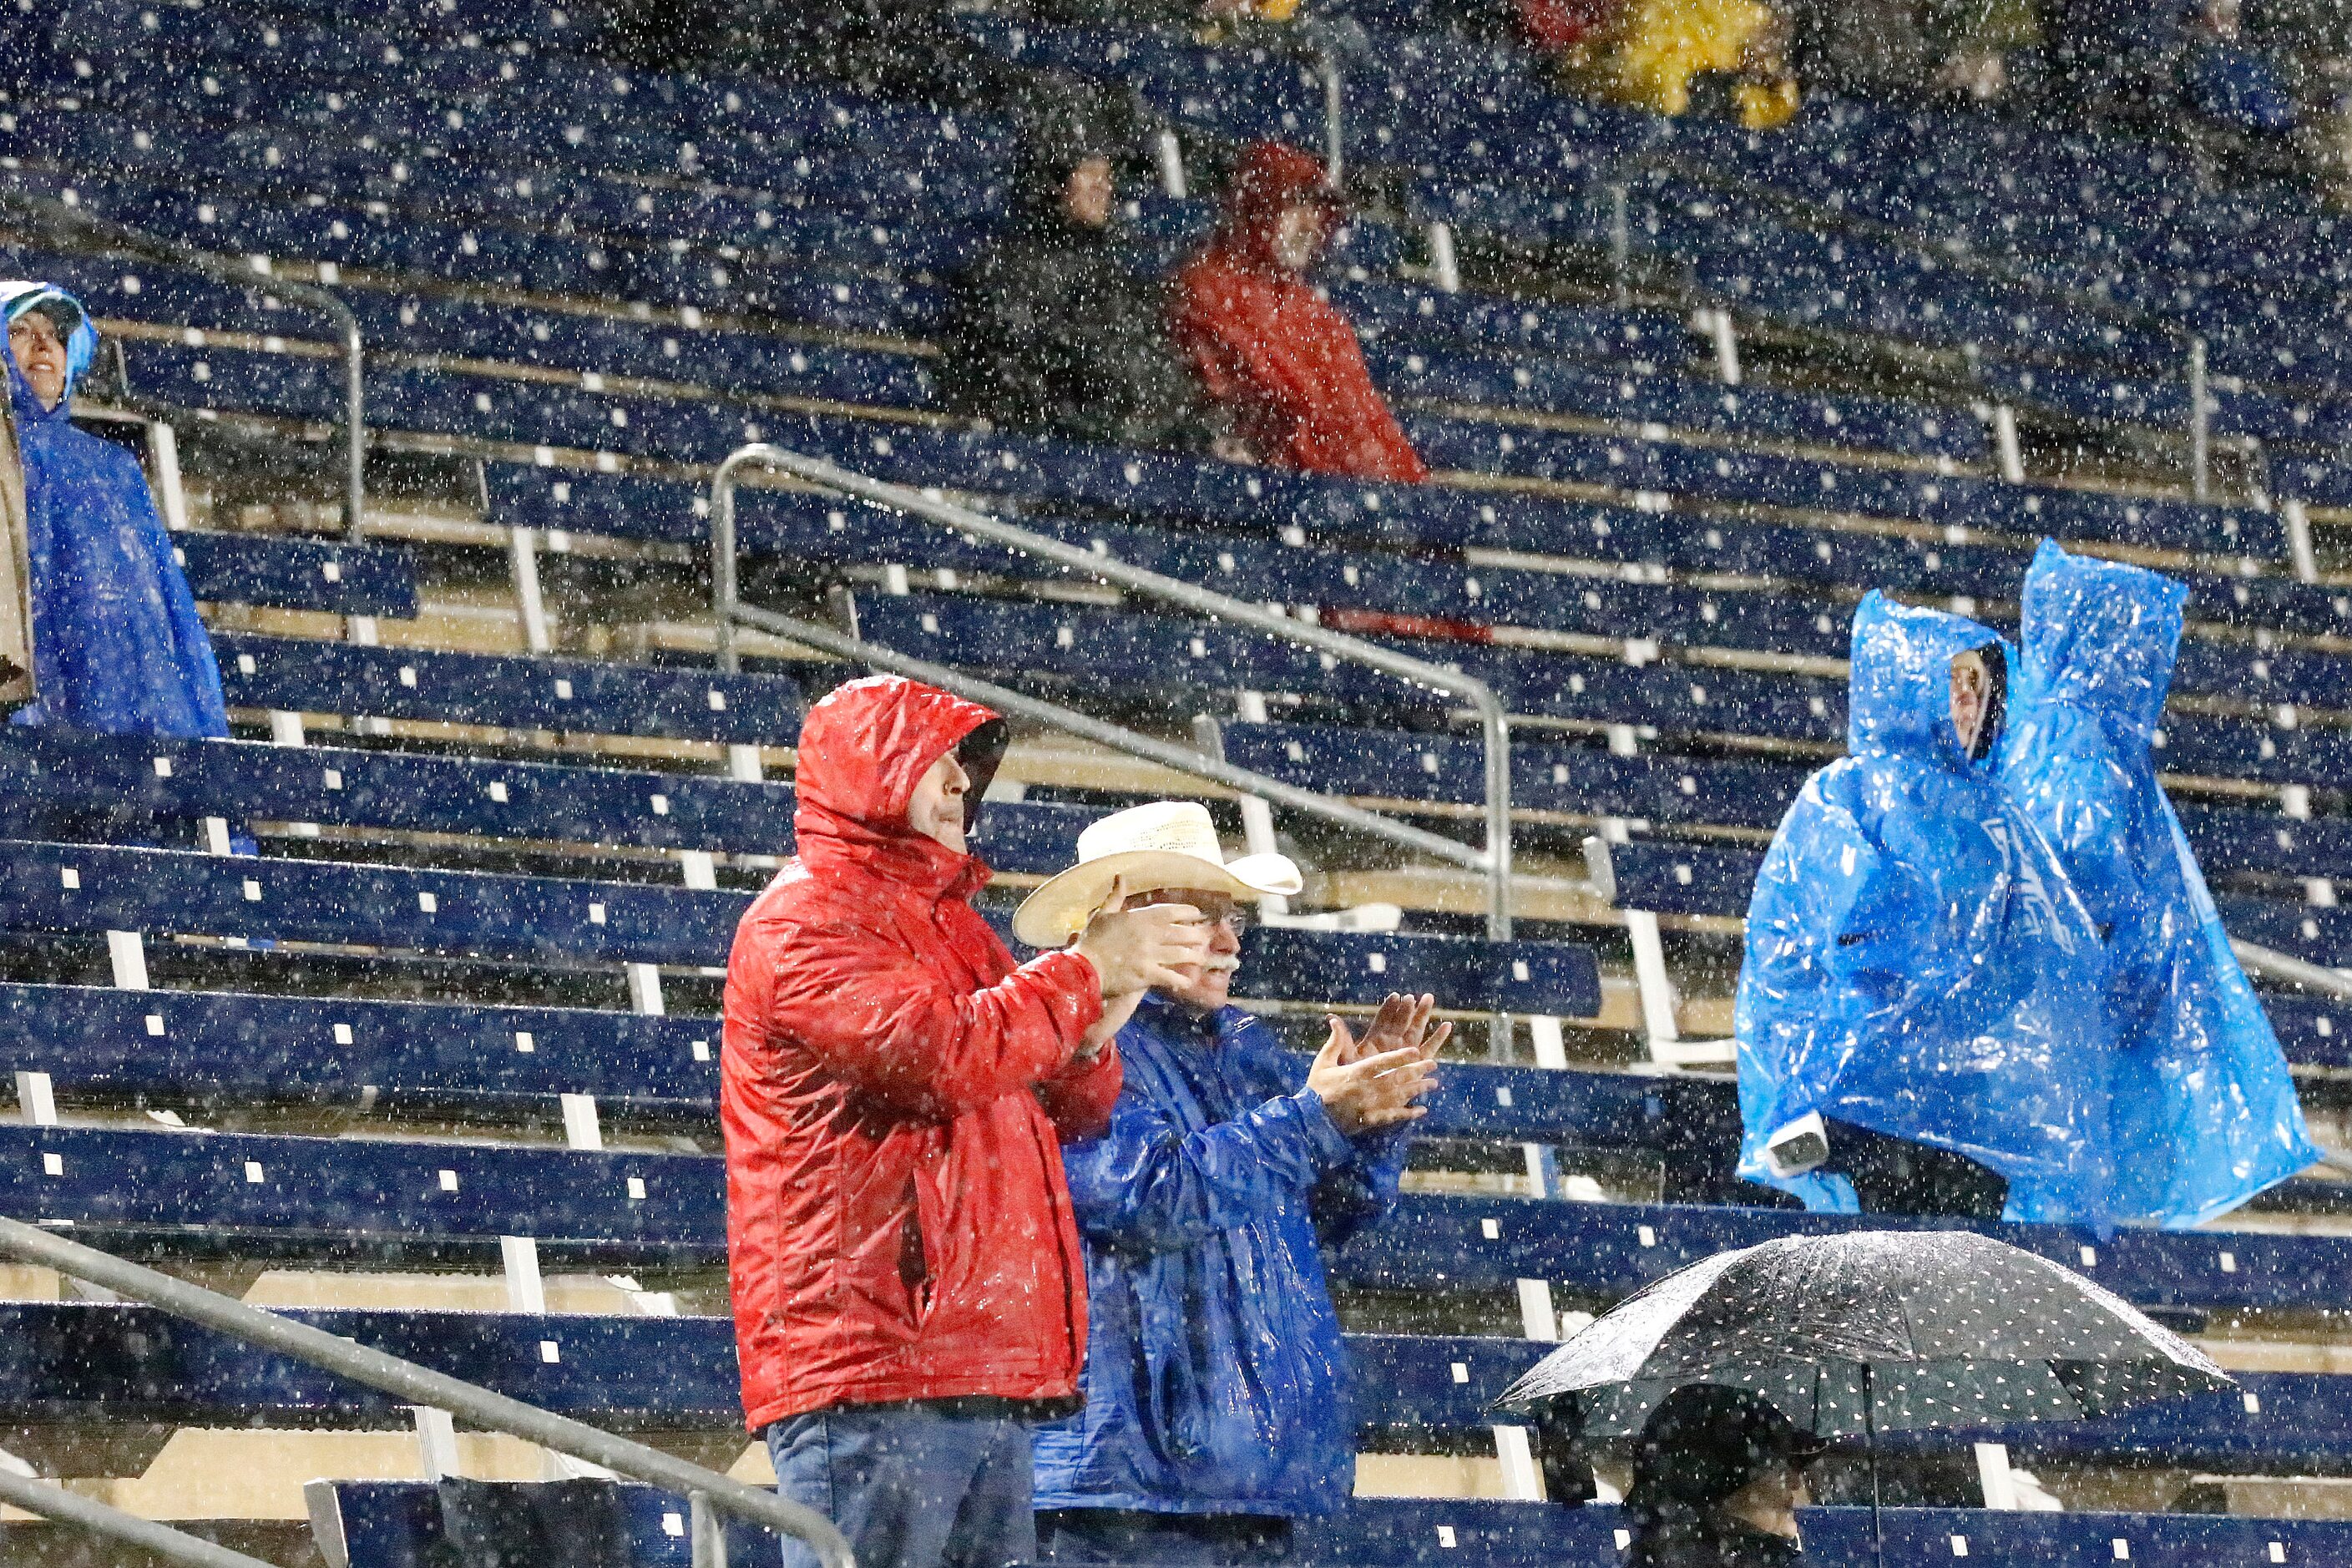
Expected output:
(422, 1386)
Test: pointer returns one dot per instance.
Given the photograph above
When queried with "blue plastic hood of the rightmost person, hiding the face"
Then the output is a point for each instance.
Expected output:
(2102, 636)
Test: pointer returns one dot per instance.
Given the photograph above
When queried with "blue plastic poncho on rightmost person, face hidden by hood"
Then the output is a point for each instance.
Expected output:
(2205, 1111)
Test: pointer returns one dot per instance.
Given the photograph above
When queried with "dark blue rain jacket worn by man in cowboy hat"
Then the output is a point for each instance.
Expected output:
(1217, 1381)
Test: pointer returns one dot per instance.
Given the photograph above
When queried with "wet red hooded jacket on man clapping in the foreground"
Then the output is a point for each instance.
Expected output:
(895, 1097)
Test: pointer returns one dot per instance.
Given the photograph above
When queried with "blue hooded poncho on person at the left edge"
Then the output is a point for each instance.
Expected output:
(116, 641)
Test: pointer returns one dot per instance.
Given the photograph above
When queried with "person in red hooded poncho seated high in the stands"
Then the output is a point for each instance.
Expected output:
(1269, 347)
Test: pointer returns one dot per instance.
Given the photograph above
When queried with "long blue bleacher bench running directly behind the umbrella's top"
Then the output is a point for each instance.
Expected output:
(429, 1200)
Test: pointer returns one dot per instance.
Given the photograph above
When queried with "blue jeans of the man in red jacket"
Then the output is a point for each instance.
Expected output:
(930, 1485)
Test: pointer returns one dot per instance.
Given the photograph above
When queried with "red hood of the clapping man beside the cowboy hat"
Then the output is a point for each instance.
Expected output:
(862, 753)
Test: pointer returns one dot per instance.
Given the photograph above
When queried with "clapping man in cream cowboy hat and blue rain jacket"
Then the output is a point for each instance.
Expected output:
(1217, 1383)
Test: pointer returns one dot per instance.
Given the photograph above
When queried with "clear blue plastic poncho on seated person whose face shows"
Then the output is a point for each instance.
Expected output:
(1918, 960)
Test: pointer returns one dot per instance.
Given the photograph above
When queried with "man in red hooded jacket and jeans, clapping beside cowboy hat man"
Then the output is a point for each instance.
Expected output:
(907, 1275)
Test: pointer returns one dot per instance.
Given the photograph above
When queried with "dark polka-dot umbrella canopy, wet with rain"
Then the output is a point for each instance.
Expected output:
(1866, 1332)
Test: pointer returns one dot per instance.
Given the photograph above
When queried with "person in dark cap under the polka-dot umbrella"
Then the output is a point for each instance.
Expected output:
(1718, 1480)
